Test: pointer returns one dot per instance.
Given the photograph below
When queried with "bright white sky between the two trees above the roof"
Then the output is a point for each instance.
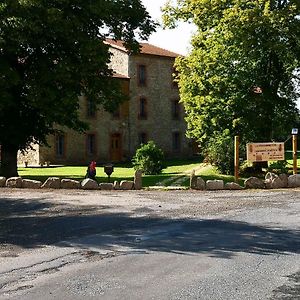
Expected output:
(176, 40)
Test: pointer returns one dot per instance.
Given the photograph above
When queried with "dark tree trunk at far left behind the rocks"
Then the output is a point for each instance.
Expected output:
(9, 161)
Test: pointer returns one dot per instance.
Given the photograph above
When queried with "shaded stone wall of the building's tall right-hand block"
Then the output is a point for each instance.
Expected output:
(159, 93)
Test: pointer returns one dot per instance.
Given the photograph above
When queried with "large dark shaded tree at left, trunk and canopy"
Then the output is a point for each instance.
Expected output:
(52, 51)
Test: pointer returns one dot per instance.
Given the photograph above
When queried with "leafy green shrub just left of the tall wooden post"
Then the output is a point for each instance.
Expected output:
(220, 152)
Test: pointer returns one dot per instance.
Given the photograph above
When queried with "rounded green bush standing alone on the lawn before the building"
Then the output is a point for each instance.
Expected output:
(149, 159)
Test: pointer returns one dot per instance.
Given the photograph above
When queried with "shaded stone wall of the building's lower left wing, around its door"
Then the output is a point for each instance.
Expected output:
(103, 125)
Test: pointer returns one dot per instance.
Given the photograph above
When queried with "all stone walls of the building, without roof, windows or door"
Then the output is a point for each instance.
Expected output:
(159, 125)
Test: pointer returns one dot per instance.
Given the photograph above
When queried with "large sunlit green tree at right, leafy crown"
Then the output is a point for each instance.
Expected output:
(243, 70)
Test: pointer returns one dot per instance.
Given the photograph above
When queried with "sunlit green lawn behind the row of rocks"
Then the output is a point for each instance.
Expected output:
(175, 170)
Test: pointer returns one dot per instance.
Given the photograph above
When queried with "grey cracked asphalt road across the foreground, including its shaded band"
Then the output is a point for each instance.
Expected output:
(149, 244)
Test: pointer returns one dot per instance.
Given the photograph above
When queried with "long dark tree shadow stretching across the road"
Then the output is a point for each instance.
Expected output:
(29, 225)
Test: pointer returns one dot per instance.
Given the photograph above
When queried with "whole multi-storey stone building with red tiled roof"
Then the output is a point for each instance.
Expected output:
(153, 112)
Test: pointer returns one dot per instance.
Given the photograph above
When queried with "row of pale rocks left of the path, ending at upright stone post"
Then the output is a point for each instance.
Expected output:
(86, 184)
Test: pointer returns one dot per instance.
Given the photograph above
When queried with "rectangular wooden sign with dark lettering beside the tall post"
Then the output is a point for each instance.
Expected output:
(265, 151)
